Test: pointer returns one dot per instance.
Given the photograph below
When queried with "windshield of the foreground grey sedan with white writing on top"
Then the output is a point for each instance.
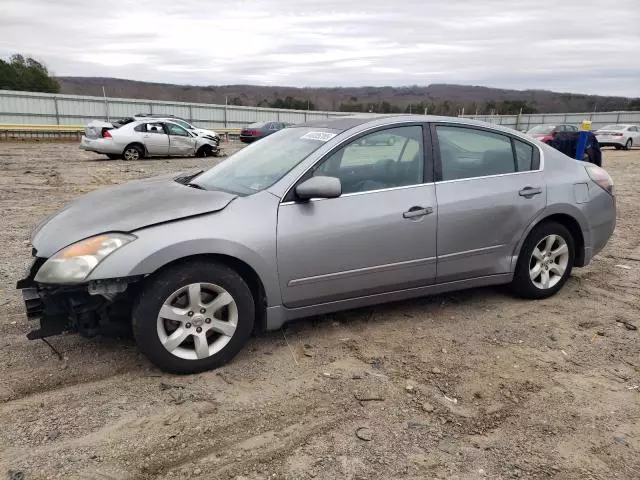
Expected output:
(263, 163)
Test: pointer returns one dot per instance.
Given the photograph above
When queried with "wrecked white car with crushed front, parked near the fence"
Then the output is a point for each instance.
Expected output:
(148, 138)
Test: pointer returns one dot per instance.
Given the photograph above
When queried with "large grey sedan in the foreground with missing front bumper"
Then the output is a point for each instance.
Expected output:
(314, 219)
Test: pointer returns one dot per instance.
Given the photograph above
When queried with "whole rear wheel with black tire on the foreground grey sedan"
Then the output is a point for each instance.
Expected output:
(533, 288)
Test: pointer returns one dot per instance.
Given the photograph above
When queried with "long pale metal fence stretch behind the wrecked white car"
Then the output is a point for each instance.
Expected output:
(54, 109)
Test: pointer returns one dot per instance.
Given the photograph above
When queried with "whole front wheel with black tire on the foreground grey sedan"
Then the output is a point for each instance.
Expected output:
(171, 290)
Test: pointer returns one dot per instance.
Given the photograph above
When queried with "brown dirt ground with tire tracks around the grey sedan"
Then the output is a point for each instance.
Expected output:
(475, 384)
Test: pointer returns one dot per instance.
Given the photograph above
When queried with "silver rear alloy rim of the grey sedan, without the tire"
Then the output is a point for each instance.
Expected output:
(549, 261)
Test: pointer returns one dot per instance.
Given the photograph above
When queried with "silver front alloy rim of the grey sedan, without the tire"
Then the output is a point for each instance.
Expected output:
(197, 321)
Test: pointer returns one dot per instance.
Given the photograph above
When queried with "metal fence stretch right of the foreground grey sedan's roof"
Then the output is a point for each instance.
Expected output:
(527, 121)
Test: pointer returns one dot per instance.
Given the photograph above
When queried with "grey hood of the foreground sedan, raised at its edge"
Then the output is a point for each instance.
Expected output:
(125, 208)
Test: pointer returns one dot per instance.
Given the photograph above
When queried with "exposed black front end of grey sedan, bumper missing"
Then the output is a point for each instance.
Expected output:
(95, 307)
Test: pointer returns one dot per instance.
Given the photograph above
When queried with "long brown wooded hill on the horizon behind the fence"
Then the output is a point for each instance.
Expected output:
(437, 98)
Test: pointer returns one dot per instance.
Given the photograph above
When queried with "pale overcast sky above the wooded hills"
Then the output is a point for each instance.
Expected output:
(583, 46)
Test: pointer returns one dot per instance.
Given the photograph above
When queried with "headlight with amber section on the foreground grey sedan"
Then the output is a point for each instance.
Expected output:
(74, 263)
